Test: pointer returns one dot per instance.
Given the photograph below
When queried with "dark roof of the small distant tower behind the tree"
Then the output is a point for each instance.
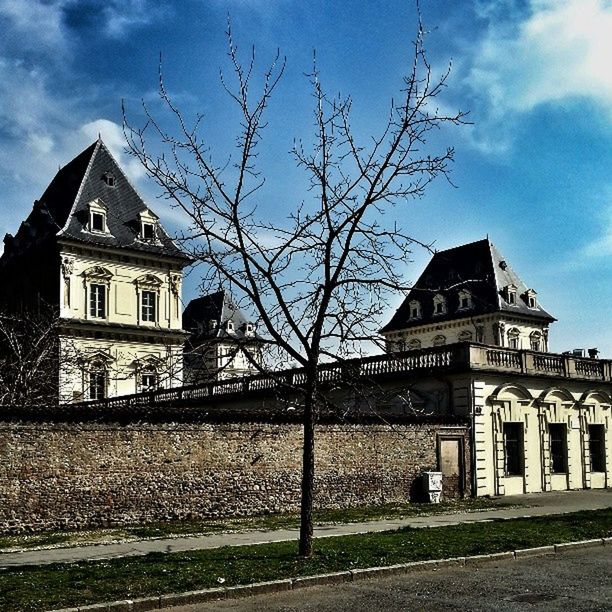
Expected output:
(218, 307)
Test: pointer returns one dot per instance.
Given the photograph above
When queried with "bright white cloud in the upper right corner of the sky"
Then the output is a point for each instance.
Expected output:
(560, 51)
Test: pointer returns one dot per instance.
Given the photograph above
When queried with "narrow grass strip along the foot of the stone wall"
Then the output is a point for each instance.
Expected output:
(265, 522)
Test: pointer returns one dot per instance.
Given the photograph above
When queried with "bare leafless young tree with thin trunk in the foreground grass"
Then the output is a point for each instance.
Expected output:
(320, 278)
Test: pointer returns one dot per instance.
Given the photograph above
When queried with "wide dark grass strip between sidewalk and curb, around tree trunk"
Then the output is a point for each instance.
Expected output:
(64, 585)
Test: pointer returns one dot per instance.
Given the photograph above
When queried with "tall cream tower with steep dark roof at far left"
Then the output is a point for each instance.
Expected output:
(92, 251)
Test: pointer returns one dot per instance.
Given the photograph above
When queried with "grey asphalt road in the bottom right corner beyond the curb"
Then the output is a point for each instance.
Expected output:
(576, 581)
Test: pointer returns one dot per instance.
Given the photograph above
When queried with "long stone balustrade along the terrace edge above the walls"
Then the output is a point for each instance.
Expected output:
(460, 357)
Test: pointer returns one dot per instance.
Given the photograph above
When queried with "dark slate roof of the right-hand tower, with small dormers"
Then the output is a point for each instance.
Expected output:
(478, 267)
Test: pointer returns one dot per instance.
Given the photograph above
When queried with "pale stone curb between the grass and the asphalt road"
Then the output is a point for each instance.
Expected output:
(277, 586)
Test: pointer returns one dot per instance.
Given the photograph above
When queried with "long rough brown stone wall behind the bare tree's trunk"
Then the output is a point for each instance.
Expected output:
(84, 474)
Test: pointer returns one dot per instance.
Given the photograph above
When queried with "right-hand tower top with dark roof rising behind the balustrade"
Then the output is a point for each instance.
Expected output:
(469, 292)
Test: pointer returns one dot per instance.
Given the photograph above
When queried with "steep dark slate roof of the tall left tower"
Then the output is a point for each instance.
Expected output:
(63, 209)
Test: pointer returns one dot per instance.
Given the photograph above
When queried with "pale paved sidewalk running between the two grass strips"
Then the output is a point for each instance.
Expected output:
(538, 504)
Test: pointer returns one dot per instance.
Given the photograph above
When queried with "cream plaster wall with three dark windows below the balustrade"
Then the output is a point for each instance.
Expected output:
(517, 403)
